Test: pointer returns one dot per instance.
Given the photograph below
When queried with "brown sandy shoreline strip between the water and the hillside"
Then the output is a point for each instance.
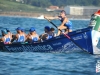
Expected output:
(35, 15)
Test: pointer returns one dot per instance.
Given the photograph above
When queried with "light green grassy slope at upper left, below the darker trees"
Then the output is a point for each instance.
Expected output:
(9, 5)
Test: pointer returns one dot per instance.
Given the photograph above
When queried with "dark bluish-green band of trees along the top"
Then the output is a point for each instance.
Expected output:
(46, 3)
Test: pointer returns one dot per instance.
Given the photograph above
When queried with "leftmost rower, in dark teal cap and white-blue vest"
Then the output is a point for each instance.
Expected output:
(6, 39)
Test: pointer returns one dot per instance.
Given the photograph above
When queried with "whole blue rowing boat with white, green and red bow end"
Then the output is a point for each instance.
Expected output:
(85, 39)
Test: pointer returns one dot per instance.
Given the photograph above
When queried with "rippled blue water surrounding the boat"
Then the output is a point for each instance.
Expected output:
(30, 63)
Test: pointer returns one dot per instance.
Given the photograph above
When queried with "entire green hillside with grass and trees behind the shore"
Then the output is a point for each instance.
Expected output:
(40, 5)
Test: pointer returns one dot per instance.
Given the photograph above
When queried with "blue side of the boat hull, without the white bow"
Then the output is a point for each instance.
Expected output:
(58, 44)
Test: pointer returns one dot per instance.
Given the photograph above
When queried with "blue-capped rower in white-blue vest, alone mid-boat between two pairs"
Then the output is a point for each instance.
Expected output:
(33, 37)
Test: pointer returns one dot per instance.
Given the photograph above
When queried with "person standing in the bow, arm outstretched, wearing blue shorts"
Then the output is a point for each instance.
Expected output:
(65, 23)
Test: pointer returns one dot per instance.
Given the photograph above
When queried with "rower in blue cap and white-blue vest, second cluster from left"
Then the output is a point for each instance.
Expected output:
(20, 36)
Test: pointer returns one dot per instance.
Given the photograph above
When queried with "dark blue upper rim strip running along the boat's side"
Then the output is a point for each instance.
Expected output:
(50, 40)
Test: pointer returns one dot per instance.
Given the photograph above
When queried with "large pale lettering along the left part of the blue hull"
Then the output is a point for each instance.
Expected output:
(30, 48)
